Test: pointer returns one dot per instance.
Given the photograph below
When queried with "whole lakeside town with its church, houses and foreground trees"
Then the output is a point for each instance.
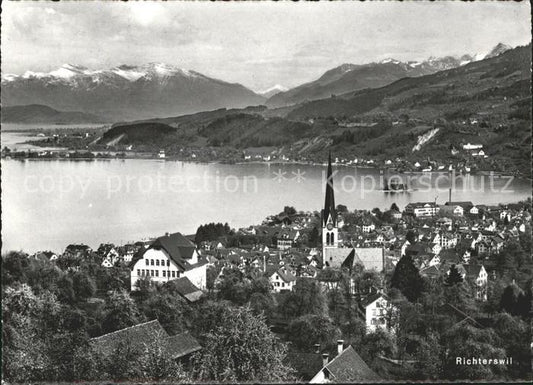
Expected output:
(337, 295)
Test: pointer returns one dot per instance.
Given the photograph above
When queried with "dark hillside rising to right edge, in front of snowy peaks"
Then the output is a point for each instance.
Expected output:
(474, 87)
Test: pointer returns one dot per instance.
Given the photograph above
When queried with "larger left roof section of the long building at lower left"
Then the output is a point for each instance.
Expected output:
(136, 336)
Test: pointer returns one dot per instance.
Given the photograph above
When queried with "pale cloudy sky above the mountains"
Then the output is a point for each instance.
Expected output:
(257, 44)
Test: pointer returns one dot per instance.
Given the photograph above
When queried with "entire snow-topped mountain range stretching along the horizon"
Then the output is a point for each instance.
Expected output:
(153, 90)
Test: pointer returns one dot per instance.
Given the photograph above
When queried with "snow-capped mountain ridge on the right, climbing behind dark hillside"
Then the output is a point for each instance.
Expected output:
(352, 77)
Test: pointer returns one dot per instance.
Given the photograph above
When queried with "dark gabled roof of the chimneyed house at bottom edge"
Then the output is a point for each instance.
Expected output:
(349, 367)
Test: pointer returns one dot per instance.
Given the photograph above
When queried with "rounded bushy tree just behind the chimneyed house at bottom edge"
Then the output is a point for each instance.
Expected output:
(306, 331)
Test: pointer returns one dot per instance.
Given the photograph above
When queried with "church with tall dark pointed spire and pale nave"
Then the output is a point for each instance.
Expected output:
(334, 254)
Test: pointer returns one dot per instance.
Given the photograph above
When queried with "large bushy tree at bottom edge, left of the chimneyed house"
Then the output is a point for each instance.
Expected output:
(241, 348)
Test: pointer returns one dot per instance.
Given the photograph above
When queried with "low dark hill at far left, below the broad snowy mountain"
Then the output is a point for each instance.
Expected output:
(37, 113)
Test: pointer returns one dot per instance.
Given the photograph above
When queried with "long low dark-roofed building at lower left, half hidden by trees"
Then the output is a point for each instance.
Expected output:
(136, 337)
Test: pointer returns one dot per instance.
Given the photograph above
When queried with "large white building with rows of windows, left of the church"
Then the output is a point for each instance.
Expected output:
(169, 257)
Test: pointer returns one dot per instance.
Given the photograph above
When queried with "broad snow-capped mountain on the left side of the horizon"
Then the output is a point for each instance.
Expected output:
(125, 92)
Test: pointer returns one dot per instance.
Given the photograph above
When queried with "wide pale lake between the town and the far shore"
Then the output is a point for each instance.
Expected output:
(49, 204)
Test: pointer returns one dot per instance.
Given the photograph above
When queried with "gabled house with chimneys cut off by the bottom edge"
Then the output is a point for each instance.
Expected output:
(346, 367)
